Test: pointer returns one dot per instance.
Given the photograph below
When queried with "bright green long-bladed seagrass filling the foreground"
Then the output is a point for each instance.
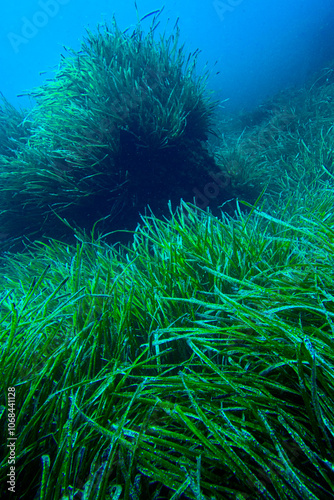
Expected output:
(196, 361)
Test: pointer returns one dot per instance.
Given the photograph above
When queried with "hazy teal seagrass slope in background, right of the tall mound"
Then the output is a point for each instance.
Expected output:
(285, 144)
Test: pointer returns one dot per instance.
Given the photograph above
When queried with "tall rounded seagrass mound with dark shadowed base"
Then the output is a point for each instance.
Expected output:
(119, 127)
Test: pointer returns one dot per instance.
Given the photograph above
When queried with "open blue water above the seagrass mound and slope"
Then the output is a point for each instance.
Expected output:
(253, 47)
